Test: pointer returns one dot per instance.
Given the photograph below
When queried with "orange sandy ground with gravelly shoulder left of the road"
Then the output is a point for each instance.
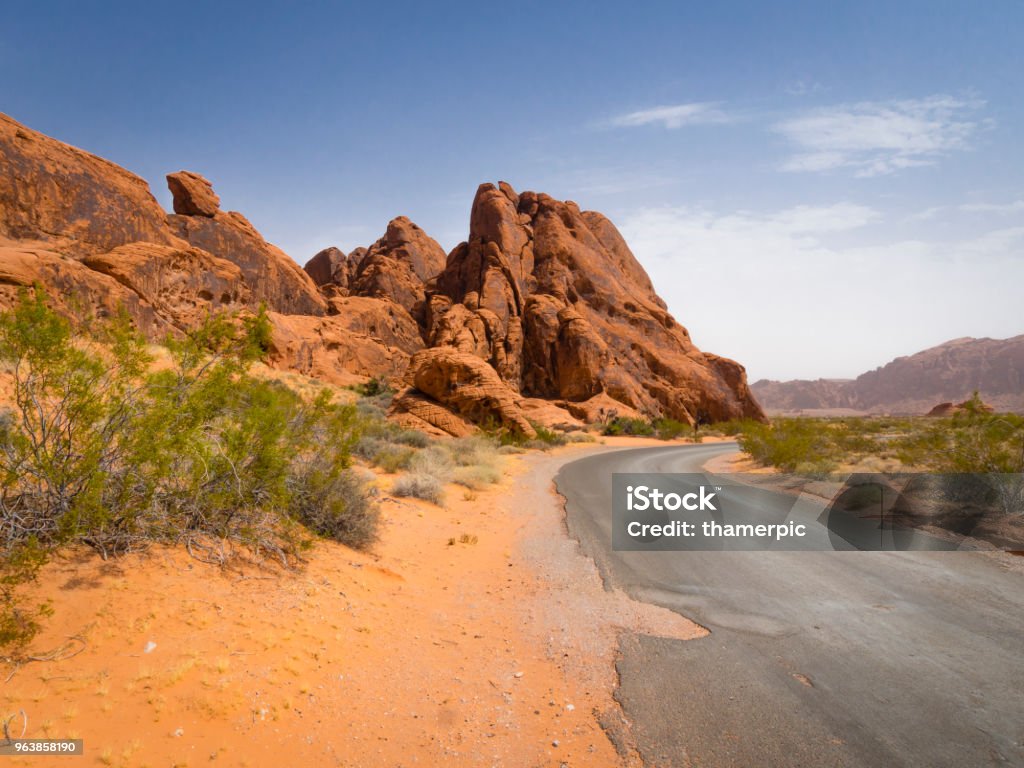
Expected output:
(474, 635)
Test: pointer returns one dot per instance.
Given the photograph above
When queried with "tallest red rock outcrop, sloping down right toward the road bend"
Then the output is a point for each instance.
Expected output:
(554, 301)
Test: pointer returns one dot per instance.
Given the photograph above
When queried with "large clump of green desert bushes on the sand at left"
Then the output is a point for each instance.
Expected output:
(99, 449)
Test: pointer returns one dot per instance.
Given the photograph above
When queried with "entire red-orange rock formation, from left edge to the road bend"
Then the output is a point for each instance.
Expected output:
(543, 315)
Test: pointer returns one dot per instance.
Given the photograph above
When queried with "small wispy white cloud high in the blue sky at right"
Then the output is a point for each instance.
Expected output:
(874, 139)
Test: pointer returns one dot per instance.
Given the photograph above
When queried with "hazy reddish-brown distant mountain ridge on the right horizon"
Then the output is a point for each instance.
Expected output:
(916, 383)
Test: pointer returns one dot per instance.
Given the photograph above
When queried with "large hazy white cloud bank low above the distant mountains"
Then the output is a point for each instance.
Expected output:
(820, 291)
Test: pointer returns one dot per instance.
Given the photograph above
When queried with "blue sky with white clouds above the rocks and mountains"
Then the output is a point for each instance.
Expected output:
(815, 188)
